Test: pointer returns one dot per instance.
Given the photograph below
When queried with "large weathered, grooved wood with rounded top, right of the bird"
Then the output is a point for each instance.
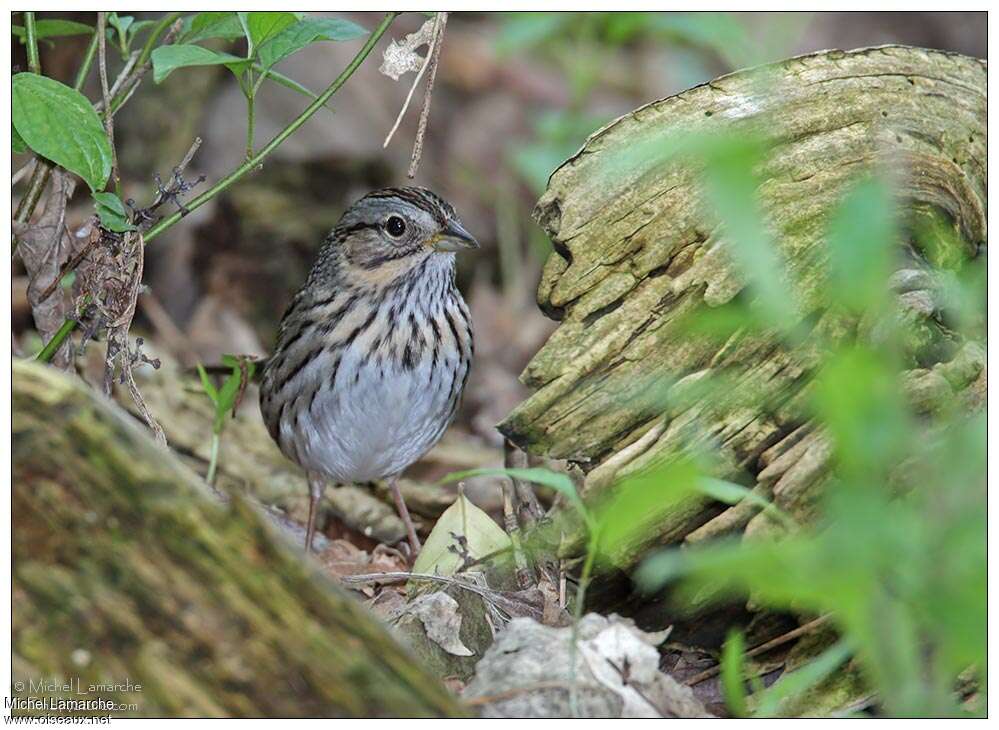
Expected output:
(637, 248)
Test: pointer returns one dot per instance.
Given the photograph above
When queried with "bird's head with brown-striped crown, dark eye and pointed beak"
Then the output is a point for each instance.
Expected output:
(389, 232)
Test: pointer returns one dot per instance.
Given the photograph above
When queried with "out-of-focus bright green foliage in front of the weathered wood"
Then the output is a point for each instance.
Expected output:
(897, 558)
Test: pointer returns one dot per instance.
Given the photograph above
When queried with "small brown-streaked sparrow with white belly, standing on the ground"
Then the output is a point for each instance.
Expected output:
(374, 350)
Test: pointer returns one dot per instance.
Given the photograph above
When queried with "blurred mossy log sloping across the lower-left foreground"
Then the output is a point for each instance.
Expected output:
(126, 568)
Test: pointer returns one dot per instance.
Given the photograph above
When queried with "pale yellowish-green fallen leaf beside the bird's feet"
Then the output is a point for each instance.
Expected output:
(462, 531)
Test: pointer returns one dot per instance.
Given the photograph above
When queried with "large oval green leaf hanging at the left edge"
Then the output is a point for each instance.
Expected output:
(60, 124)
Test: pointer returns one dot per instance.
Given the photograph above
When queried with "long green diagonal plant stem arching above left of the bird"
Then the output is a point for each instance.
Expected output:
(69, 325)
